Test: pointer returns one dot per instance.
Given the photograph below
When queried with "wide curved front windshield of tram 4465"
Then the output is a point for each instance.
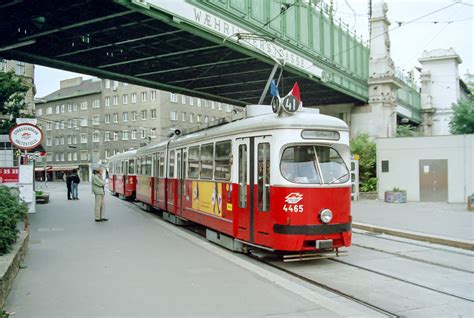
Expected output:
(313, 164)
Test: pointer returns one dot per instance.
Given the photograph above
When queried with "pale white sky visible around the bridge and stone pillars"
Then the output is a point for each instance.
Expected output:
(451, 27)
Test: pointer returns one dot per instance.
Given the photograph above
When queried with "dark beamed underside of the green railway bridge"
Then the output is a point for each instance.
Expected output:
(108, 40)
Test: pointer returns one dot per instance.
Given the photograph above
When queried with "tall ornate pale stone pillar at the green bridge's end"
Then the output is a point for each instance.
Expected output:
(379, 117)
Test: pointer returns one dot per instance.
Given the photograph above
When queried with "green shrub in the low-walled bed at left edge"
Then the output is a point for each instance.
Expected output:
(11, 212)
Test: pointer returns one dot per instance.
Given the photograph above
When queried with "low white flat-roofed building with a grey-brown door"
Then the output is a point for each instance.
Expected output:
(431, 169)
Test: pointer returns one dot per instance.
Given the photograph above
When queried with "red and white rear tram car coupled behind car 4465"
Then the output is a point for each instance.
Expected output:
(122, 175)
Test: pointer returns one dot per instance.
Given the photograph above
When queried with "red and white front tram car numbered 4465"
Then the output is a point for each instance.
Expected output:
(279, 182)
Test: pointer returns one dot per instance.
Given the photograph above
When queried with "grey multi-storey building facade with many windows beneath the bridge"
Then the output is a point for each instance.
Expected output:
(87, 121)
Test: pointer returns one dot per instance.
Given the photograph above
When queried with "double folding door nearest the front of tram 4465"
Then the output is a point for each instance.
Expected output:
(254, 219)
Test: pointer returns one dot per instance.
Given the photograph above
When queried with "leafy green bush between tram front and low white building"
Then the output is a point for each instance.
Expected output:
(363, 146)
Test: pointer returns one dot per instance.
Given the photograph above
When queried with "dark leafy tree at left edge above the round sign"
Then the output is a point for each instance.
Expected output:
(12, 99)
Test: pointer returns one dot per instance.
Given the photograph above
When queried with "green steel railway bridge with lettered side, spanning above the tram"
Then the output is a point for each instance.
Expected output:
(222, 50)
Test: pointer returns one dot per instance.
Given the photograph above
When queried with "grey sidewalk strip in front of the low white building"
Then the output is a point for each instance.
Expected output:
(450, 220)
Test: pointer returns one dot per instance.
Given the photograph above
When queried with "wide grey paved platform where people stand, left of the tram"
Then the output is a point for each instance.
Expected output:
(137, 265)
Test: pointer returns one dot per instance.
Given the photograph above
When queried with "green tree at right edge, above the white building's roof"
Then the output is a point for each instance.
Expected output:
(463, 117)
